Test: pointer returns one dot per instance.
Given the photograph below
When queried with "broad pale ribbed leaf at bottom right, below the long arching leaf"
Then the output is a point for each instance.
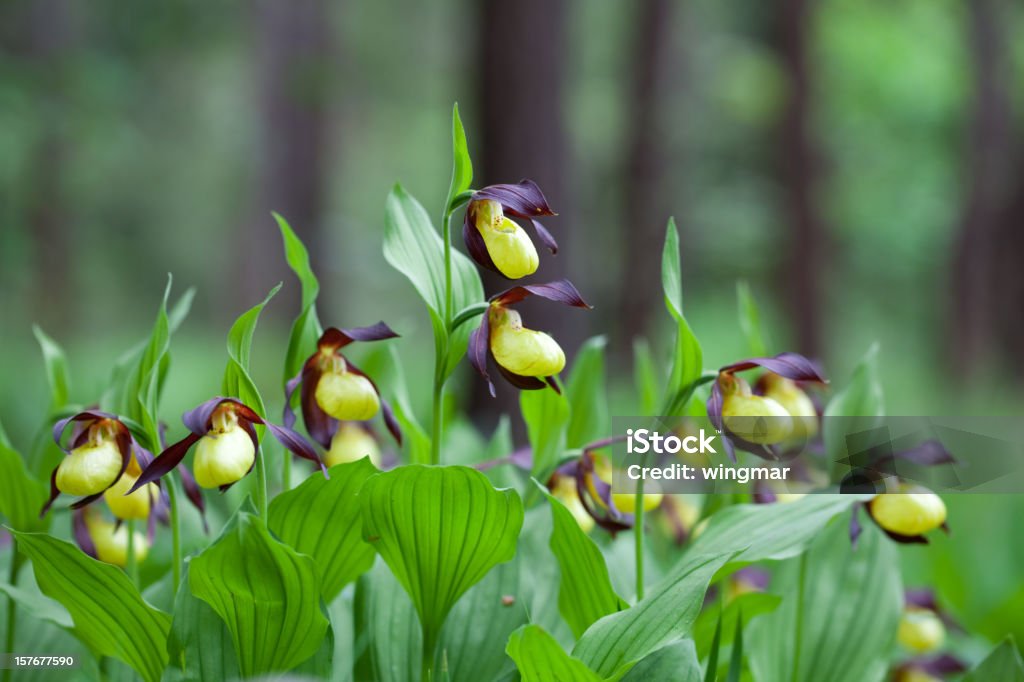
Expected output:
(839, 618)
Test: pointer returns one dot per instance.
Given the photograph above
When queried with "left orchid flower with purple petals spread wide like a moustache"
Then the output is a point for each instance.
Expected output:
(224, 431)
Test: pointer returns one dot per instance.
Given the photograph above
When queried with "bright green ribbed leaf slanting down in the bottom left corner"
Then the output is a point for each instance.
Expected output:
(109, 614)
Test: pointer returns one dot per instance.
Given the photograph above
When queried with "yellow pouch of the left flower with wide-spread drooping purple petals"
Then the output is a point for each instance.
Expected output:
(227, 453)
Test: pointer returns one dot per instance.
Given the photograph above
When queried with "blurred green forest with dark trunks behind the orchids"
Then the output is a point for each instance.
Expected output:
(860, 163)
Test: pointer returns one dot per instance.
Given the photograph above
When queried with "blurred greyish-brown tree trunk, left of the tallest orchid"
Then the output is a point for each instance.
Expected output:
(294, 66)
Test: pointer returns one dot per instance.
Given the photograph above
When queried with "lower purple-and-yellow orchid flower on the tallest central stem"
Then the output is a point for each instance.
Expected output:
(529, 360)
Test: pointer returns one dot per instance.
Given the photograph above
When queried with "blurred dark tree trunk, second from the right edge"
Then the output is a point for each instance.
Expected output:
(799, 169)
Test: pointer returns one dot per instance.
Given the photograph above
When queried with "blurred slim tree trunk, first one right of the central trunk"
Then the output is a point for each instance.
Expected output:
(646, 205)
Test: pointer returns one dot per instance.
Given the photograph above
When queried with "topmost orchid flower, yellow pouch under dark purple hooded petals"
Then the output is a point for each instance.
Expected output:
(500, 244)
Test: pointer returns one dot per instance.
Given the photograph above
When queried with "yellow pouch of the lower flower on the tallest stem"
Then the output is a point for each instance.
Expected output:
(522, 351)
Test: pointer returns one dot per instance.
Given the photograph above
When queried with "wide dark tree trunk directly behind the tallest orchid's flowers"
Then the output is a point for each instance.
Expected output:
(522, 47)
